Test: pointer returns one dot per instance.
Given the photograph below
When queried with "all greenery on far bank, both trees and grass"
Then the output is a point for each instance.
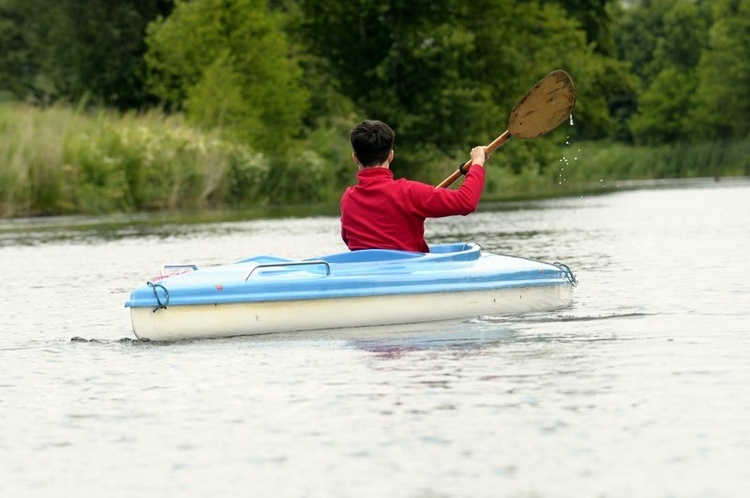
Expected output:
(233, 104)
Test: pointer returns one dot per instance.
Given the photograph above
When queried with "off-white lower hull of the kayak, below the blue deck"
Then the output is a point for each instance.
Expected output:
(237, 319)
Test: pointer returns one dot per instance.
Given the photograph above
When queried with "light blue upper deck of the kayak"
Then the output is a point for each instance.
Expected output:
(457, 267)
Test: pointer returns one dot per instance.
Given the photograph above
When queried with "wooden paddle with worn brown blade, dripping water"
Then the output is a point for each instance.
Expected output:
(545, 106)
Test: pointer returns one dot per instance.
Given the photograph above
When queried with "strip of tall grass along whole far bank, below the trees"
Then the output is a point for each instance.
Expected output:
(60, 161)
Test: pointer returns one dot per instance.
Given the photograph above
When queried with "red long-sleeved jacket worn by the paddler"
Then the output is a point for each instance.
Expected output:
(382, 213)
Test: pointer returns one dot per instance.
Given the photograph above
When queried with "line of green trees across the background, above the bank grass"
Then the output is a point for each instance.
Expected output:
(284, 76)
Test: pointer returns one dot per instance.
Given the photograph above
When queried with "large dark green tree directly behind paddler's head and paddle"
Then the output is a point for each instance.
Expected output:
(445, 72)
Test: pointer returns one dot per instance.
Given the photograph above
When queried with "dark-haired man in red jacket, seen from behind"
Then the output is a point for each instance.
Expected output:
(380, 212)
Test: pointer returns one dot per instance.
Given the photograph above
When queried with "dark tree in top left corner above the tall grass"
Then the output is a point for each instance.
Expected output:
(77, 49)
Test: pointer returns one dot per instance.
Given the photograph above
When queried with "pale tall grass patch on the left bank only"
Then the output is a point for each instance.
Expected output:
(58, 161)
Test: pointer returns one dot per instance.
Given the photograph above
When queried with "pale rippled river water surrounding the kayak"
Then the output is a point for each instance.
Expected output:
(640, 389)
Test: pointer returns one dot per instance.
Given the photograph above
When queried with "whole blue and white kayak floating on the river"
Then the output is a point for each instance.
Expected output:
(374, 287)
